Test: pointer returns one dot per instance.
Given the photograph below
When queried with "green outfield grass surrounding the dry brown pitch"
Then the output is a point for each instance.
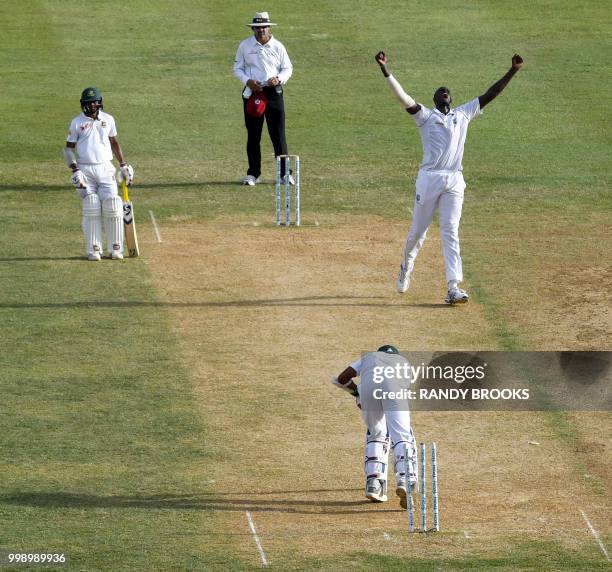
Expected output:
(103, 448)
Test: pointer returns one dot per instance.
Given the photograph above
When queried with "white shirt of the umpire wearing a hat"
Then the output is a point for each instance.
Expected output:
(261, 62)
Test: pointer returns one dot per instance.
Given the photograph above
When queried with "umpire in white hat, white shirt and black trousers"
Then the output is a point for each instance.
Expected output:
(263, 66)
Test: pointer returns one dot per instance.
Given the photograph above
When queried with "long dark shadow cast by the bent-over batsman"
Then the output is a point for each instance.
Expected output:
(226, 502)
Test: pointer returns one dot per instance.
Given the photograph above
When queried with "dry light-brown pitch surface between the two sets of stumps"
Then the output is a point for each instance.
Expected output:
(266, 316)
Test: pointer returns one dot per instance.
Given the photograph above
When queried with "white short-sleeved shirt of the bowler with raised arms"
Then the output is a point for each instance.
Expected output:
(443, 136)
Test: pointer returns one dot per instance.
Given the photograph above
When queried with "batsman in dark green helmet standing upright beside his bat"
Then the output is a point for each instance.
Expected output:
(94, 136)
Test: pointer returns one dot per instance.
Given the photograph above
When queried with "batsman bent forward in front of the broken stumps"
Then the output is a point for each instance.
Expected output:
(385, 376)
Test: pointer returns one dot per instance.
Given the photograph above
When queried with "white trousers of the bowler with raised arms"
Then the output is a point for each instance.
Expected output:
(442, 190)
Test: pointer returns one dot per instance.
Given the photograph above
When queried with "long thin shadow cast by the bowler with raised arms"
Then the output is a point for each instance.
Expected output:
(309, 301)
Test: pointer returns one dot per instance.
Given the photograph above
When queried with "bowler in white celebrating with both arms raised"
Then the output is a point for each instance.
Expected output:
(440, 183)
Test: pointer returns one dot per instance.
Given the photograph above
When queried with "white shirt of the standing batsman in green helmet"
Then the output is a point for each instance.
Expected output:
(92, 137)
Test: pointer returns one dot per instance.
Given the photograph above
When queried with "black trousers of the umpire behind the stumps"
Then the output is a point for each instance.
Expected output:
(275, 120)
